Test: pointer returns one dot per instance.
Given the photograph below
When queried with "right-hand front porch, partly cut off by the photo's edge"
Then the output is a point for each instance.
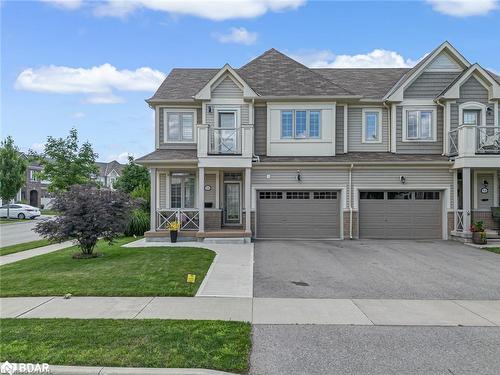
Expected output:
(477, 192)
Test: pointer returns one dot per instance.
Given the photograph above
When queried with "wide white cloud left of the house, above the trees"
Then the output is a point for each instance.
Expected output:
(98, 81)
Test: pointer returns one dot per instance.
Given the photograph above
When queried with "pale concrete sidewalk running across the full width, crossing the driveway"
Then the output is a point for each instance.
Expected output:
(261, 310)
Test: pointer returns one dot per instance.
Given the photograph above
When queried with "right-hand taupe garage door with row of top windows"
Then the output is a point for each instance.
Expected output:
(400, 214)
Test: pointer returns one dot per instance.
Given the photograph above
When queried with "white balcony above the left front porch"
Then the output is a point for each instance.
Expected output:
(230, 147)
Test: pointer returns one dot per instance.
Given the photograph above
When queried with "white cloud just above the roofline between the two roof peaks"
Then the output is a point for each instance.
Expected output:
(378, 58)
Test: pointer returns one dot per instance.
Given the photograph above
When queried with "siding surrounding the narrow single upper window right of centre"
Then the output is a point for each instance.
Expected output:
(355, 124)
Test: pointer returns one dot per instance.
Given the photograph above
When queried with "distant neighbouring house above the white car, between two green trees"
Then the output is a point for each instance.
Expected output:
(35, 191)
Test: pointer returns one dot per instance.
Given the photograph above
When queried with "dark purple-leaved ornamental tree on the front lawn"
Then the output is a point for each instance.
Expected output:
(87, 214)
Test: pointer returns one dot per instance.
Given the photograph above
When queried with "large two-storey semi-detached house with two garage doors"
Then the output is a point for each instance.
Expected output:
(278, 150)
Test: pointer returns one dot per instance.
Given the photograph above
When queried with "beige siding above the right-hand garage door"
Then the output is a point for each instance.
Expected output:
(380, 178)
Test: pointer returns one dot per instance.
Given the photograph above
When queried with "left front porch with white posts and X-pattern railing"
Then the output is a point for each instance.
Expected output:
(210, 204)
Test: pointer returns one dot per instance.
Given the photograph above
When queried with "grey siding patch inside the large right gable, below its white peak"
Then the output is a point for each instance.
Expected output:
(429, 84)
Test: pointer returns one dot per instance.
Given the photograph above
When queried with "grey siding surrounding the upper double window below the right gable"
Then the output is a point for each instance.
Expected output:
(419, 147)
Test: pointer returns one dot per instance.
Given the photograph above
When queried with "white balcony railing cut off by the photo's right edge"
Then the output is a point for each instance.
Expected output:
(470, 140)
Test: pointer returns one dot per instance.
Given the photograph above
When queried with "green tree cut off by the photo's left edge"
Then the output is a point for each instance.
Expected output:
(12, 171)
